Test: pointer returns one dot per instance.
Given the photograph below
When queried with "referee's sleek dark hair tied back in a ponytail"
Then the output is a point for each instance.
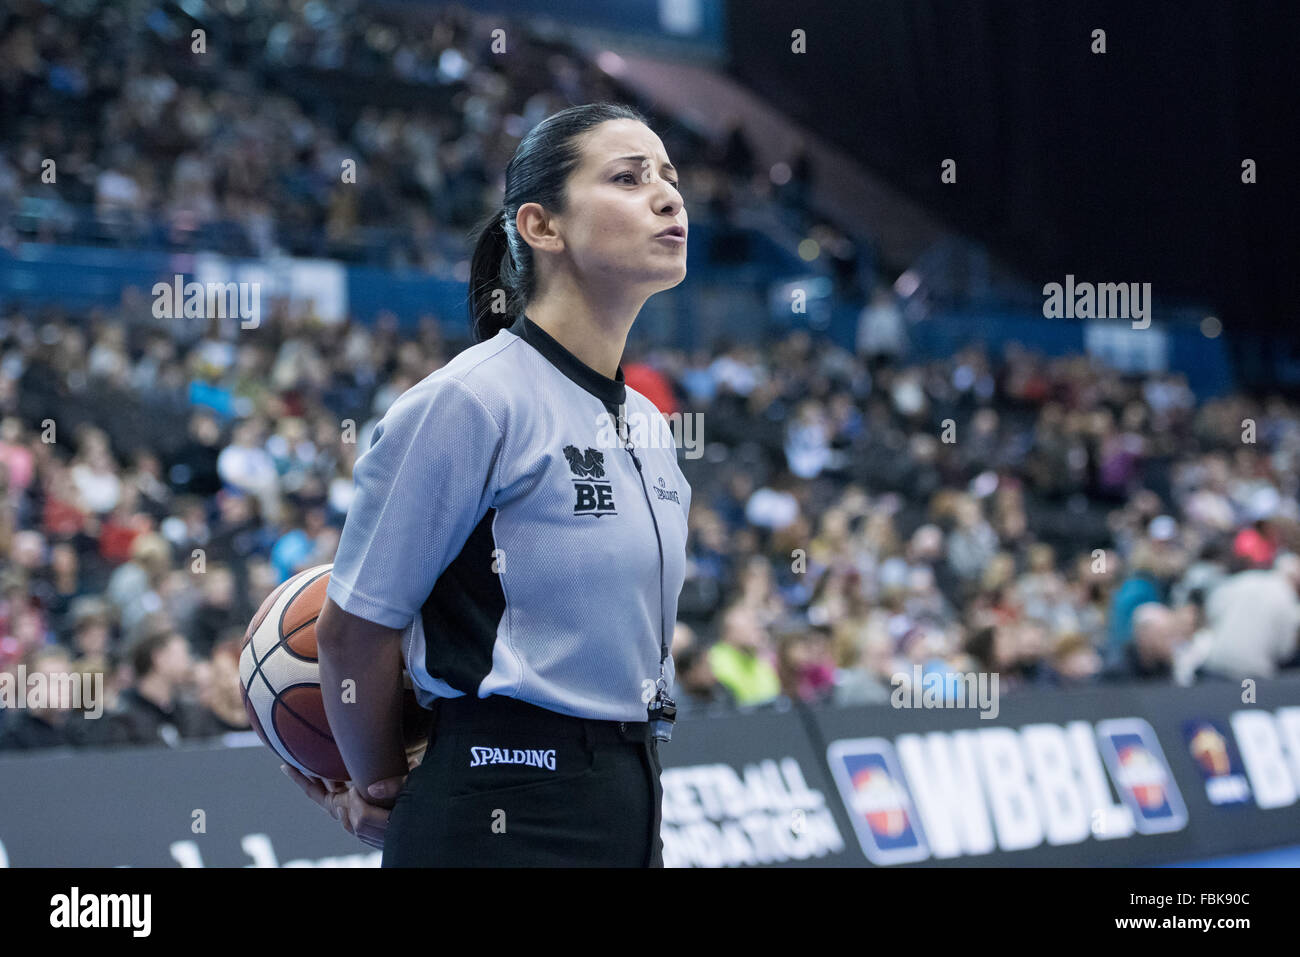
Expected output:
(502, 276)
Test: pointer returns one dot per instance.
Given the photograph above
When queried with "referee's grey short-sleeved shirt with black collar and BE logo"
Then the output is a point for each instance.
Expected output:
(500, 522)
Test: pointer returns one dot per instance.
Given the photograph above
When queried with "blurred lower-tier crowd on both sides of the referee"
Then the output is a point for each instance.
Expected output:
(853, 517)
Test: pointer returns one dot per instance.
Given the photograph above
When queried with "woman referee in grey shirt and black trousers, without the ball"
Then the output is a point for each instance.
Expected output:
(519, 542)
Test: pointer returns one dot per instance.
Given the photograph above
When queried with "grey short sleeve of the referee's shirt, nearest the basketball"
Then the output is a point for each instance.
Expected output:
(421, 488)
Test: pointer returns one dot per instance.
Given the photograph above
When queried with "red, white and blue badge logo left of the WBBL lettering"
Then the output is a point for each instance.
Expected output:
(872, 785)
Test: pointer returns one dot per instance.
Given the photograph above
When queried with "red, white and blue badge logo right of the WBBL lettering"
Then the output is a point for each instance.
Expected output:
(1142, 776)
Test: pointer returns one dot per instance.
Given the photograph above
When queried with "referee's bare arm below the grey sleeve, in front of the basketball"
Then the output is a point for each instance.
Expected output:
(369, 733)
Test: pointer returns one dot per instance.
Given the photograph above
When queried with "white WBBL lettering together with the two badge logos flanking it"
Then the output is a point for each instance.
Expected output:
(973, 793)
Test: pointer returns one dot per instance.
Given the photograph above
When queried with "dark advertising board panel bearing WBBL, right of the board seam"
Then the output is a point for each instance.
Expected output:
(1116, 777)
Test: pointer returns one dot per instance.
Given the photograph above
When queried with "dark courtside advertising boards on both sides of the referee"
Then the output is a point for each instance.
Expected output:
(1110, 777)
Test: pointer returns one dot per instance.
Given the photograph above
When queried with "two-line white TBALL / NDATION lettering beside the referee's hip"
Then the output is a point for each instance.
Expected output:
(714, 817)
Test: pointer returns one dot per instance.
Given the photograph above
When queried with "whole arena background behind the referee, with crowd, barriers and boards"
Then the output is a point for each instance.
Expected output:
(985, 376)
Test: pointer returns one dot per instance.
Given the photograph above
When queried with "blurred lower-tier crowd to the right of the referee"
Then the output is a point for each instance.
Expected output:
(1051, 521)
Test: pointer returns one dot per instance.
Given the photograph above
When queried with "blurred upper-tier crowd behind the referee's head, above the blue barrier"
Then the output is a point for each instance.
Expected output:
(314, 129)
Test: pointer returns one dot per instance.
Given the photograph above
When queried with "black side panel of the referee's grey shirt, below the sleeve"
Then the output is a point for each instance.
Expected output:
(462, 613)
